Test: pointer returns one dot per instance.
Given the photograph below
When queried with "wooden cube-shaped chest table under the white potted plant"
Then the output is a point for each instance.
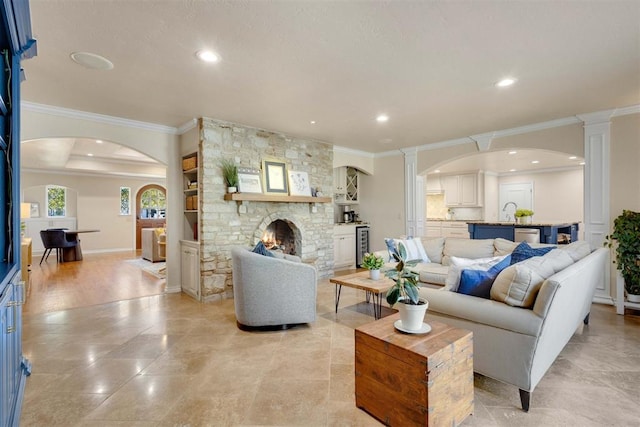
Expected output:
(409, 379)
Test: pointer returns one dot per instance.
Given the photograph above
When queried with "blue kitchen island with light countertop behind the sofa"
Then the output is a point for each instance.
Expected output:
(549, 230)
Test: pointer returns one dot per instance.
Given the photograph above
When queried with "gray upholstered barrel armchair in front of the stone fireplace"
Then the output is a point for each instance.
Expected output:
(272, 292)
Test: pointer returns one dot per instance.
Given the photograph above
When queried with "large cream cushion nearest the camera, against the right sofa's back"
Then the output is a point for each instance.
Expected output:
(518, 284)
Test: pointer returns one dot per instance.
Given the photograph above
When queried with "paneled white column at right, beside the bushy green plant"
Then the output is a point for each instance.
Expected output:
(597, 131)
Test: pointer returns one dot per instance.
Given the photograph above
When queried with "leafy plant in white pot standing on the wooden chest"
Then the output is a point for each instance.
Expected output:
(405, 292)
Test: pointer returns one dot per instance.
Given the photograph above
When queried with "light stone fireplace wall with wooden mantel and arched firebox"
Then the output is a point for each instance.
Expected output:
(301, 228)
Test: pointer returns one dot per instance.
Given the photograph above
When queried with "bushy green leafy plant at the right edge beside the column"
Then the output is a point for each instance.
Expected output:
(626, 236)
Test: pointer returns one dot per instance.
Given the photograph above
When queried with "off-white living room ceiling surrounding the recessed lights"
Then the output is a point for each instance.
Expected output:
(429, 65)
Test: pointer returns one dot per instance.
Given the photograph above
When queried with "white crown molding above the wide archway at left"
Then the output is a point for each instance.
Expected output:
(94, 117)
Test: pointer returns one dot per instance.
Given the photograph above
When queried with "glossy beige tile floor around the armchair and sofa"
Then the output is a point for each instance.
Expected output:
(167, 360)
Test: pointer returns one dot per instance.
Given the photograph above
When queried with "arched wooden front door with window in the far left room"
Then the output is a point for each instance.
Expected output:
(151, 209)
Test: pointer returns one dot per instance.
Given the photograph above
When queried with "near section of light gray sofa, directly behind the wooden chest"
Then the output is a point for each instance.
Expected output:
(517, 345)
